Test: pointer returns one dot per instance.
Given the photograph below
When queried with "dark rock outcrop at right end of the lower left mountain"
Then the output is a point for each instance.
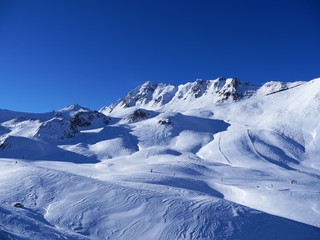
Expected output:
(86, 119)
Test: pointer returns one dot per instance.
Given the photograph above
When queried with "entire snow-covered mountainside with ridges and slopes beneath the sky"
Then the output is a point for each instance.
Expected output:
(217, 159)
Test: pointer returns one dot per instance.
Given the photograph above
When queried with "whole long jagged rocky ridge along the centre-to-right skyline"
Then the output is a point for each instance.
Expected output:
(152, 95)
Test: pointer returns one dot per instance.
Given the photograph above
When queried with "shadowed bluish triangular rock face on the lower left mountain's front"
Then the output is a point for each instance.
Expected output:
(56, 128)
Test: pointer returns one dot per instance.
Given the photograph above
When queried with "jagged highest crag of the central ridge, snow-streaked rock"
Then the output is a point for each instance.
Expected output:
(154, 95)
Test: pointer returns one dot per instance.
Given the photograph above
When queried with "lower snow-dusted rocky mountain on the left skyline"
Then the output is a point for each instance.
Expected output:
(58, 125)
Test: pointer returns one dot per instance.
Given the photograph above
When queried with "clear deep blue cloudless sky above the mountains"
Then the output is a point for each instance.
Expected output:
(54, 53)
